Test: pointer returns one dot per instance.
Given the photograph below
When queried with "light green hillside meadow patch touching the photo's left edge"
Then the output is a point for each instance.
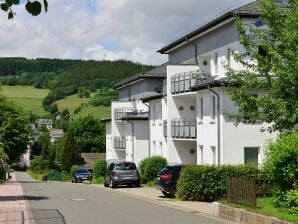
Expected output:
(27, 97)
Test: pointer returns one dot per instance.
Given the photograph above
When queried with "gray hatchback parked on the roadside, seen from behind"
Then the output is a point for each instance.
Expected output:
(122, 173)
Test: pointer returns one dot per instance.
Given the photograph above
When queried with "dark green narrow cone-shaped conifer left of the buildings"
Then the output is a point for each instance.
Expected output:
(69, 154)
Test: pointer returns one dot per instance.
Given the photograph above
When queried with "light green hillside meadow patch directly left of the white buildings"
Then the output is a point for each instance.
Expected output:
(73, 102)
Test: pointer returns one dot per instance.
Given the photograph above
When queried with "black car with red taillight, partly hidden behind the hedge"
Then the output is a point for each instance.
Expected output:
(166, 180)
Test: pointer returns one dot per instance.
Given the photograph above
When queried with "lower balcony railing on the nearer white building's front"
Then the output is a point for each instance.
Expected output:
(184, 128)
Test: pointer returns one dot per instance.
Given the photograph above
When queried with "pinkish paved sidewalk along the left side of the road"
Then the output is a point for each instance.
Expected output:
(13, 208)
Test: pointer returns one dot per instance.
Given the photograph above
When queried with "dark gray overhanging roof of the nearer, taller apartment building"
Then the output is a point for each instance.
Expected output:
(250, 11)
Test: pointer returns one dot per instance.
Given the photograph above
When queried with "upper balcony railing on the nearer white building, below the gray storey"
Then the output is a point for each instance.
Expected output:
(183, 82)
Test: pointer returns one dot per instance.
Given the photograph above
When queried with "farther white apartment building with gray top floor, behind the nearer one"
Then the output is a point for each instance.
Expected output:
(127, 132)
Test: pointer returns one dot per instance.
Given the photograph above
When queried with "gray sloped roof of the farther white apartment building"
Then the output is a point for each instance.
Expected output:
(158, 72)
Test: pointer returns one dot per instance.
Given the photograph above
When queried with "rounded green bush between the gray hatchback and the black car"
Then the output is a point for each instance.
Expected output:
(149, 167)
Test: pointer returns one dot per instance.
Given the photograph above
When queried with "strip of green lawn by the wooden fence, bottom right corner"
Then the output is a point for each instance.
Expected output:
(265, 206)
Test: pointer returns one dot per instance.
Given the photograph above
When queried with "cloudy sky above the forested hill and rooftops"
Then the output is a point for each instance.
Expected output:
(111, 29)
